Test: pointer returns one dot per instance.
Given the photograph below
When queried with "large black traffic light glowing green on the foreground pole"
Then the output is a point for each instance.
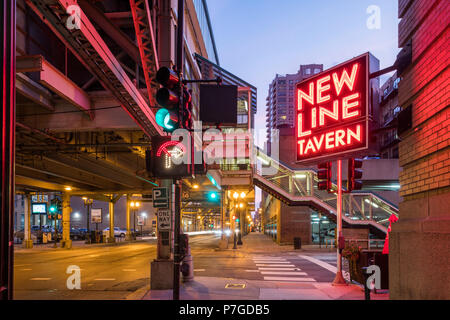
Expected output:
(168, 98)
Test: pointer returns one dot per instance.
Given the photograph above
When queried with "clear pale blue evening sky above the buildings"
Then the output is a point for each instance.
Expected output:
(256, 39)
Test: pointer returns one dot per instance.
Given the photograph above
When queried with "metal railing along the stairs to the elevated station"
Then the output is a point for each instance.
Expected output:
(302, 183)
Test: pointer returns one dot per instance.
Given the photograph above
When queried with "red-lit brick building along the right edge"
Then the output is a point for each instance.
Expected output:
(419, 256)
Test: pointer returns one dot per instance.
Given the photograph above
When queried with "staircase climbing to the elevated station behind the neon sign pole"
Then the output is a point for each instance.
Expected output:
(298, 187)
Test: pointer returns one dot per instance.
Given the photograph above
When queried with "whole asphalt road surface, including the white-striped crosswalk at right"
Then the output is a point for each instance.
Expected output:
(114, 272)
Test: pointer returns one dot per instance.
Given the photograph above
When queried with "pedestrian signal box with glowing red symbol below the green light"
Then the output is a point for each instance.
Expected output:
(160, 160)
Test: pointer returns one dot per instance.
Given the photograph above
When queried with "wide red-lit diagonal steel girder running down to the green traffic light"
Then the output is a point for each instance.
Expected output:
(91, 48)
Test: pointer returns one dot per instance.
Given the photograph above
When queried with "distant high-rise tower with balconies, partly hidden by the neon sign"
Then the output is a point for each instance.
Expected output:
(280, 111)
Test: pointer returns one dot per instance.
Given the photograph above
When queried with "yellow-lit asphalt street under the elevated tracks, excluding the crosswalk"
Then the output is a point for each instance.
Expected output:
(107, 272)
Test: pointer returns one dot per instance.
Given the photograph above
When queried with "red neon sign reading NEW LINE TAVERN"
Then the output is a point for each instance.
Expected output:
(332, 111)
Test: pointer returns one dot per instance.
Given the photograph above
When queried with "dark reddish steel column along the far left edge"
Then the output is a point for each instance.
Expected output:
(8, 120)
